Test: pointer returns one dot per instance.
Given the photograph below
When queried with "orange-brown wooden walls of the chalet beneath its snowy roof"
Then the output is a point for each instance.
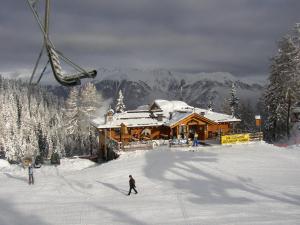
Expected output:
(205, 128)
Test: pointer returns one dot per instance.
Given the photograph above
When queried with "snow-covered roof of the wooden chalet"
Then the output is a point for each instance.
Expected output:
(146, 117)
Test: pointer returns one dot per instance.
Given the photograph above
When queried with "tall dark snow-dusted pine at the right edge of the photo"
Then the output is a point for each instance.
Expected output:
(283, 89)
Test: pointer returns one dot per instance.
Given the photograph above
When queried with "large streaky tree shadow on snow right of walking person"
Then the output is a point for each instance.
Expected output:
(207, 187)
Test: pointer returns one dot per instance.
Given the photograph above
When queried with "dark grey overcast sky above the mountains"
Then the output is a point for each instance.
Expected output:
(236, 36)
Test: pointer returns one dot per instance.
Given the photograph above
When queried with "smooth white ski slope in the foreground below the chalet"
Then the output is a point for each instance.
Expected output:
(255, 184)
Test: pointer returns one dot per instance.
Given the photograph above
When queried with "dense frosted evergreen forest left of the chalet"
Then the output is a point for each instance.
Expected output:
(35, 122)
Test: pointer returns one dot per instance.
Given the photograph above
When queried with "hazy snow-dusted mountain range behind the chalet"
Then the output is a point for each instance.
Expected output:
(143, 86)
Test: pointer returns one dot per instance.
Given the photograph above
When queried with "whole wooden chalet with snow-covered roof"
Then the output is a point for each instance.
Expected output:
(163, 120)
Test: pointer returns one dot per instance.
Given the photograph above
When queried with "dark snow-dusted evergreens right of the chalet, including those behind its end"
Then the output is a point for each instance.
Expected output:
(281, 94)
